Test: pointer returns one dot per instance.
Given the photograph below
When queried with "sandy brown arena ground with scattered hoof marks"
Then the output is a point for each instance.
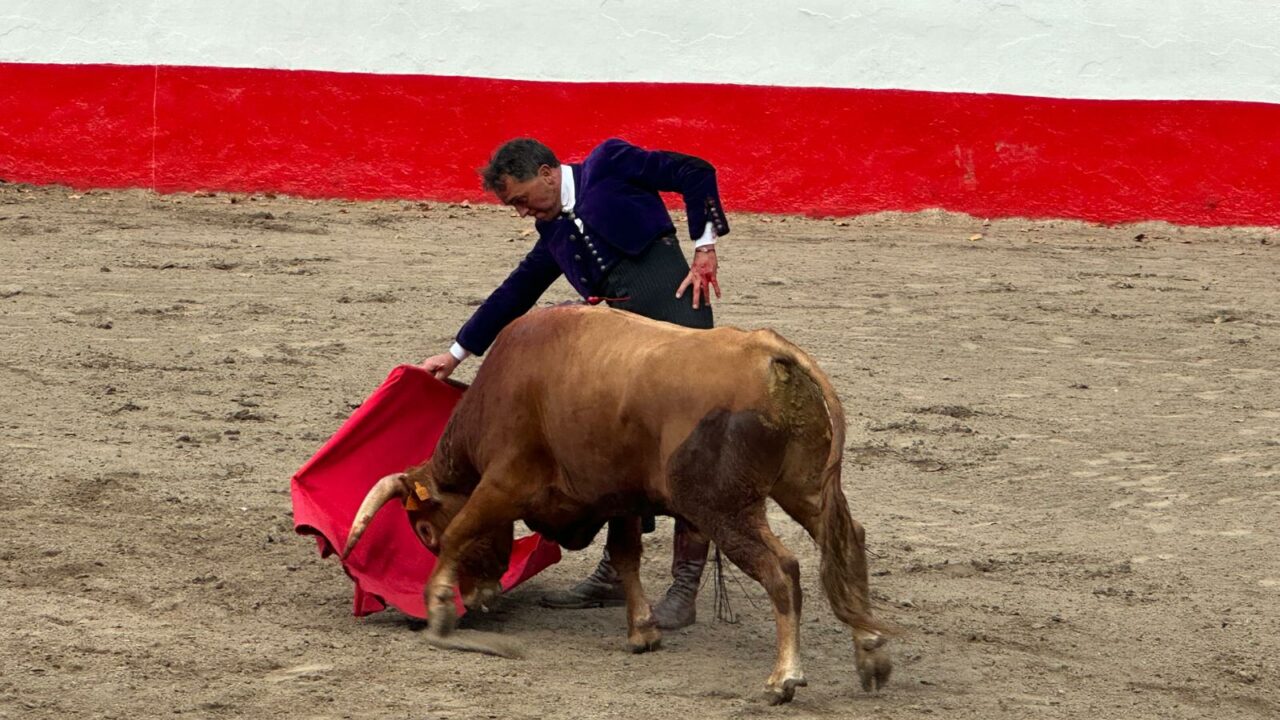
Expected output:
(1064, 441)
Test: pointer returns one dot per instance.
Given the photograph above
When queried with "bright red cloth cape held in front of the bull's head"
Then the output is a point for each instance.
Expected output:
(396, 429)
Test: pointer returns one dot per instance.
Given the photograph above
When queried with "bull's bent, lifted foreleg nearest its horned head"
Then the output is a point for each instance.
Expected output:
(484, 513)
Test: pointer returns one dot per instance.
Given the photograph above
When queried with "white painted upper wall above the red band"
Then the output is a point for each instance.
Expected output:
(1136, 49)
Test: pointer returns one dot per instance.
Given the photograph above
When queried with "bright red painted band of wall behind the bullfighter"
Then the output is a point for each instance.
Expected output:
(778, 149)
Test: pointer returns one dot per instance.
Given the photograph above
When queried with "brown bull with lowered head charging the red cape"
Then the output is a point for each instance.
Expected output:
(582, 417)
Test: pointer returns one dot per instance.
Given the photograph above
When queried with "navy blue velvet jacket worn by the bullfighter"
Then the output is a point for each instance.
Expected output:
(618, 200)
